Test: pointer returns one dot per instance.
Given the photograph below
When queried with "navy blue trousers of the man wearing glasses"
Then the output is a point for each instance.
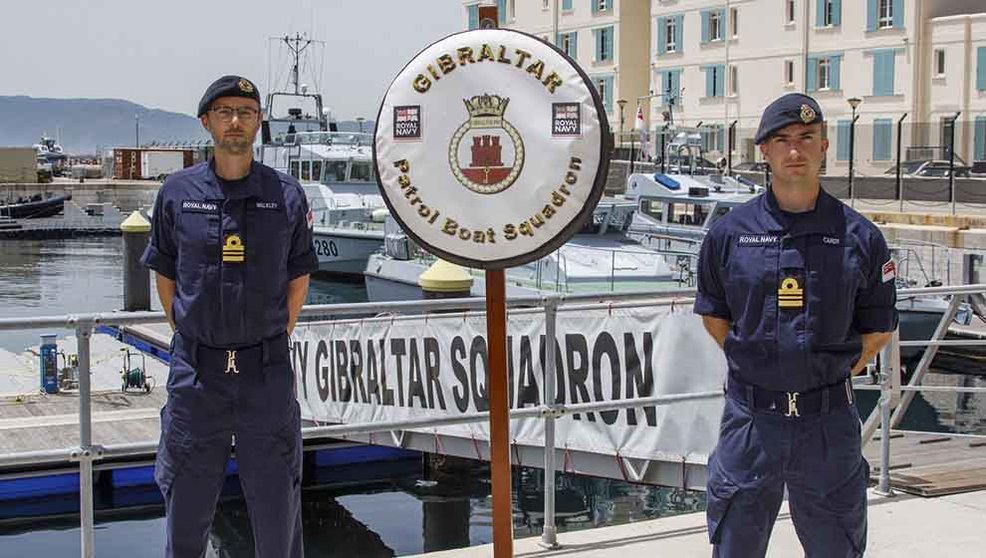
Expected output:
(206, 407)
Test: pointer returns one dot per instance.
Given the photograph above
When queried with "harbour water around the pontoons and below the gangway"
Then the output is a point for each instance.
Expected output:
(390, 509)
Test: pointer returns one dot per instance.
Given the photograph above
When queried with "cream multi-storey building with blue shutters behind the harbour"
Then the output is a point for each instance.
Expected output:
(716, 62)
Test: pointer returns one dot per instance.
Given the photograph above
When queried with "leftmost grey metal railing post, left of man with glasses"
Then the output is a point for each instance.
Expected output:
(83, 332)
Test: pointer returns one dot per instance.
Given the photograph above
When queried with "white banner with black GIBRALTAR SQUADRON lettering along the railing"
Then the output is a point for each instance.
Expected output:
(383, 369)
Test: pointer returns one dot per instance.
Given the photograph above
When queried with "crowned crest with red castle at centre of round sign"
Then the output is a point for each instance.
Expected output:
(486, 153)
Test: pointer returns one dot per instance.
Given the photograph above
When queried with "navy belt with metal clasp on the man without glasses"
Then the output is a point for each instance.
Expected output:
(792, 403)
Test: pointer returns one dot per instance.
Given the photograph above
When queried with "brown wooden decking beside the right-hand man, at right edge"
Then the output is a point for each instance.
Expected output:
(928, 464)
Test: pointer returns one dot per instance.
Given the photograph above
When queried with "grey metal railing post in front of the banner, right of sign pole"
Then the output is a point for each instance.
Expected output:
(549, 534)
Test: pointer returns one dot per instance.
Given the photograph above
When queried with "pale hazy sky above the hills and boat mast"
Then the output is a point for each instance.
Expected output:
(164, 53)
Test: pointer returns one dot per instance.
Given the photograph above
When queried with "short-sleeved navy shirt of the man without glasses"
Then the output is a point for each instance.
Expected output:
(798, 288)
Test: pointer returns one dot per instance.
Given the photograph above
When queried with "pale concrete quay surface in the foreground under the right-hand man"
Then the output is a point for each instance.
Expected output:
(944, 527)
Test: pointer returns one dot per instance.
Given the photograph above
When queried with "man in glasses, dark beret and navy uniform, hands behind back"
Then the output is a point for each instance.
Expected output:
(232, 251)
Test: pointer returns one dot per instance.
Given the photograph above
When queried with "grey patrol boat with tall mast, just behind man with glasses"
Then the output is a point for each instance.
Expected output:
(298, 137)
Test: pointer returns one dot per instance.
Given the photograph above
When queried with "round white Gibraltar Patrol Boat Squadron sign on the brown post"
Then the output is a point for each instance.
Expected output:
(491, 148)
